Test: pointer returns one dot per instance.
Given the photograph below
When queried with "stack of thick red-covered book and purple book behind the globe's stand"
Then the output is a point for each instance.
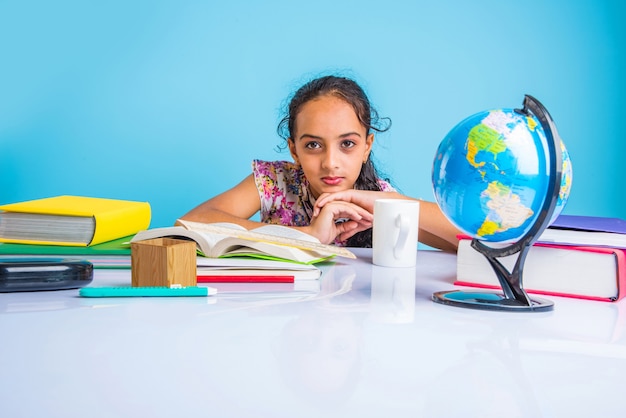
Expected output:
(577, 256)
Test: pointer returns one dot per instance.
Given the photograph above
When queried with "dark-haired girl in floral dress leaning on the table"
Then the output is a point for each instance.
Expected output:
(330, 188)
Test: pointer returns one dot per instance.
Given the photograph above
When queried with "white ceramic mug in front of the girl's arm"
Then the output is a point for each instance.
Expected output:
(394, 238)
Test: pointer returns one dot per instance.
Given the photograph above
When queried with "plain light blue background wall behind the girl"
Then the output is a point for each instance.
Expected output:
(169, 101)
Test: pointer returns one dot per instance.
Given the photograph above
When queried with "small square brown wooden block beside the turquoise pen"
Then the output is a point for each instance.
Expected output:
(163, 262)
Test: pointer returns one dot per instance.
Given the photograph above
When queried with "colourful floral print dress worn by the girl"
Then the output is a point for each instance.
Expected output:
(284, 193)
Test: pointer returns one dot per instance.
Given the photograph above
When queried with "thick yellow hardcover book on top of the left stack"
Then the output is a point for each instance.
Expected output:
(72, 220)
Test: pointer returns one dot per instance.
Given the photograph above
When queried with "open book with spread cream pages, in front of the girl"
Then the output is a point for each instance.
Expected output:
(274, 242)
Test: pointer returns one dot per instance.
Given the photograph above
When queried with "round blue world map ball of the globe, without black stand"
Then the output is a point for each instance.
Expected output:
(490, 175)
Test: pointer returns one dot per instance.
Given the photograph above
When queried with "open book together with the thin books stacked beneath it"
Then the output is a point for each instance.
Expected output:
(228, 253)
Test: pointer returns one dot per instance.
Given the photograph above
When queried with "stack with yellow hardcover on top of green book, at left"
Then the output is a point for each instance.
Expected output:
(91, 228)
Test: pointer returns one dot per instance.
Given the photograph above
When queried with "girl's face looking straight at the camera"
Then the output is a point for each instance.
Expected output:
(330, 144)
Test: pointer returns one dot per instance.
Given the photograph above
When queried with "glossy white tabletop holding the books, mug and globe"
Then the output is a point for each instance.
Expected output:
(370, 343)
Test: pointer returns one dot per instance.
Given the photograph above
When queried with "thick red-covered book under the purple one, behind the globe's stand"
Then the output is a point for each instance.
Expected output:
(584, 272)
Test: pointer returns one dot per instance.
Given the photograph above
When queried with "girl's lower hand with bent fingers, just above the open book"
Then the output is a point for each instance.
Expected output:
(339, 220)
